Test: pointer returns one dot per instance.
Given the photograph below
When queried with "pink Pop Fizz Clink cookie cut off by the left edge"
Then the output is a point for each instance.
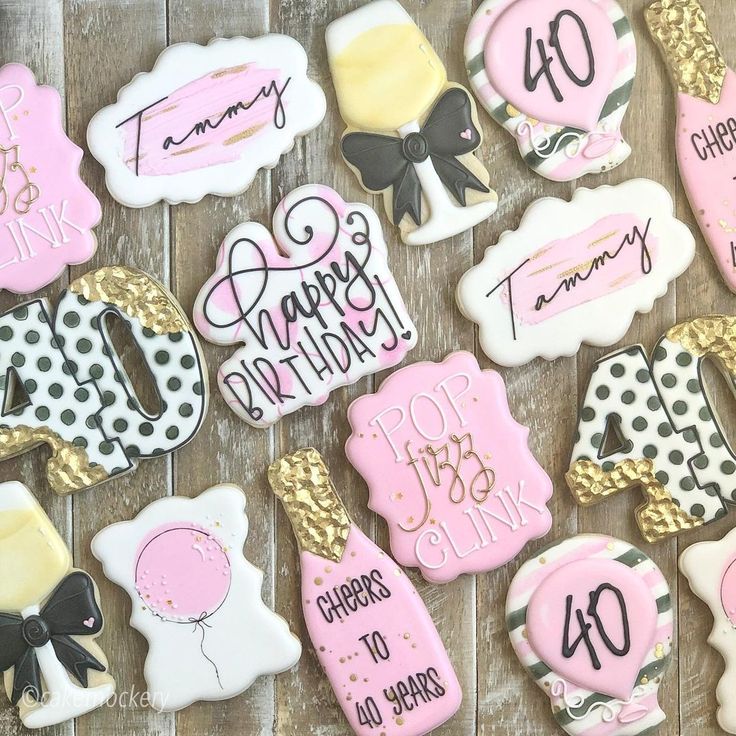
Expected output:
(46, 211)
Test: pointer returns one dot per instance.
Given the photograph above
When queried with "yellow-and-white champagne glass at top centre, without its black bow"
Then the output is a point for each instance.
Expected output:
(387, 77)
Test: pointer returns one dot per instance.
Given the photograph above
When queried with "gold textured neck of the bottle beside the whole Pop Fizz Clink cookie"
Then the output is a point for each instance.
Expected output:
(320, 522)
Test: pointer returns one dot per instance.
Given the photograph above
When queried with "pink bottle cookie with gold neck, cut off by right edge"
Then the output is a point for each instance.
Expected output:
(706, 121)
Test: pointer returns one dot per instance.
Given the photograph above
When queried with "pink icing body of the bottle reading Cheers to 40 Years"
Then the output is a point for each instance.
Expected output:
(377, 643)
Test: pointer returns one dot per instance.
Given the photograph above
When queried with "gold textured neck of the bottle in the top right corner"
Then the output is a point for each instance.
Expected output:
(680, 28)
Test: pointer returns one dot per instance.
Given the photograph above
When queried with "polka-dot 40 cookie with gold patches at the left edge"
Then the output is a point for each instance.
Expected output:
(63, 384)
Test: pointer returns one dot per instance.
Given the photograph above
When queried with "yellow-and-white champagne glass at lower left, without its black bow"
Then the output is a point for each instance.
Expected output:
(33, 561)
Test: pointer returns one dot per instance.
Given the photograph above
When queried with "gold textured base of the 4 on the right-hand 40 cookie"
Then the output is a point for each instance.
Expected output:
(659, 517)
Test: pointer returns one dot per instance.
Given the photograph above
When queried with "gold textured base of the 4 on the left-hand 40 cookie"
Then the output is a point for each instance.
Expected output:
(68, 468)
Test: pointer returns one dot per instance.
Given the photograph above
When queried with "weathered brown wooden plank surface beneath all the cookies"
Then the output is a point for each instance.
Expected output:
(88, 49)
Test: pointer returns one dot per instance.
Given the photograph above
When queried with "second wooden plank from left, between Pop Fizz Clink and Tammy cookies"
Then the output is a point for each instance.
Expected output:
(106, 44)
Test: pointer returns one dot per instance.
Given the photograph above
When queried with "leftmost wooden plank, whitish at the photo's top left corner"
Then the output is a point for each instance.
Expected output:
(36, 40)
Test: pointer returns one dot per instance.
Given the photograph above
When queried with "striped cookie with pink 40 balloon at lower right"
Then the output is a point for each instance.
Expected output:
(591, 620)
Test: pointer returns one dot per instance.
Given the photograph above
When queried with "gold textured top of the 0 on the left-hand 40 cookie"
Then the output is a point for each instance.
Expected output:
(136, 294)
